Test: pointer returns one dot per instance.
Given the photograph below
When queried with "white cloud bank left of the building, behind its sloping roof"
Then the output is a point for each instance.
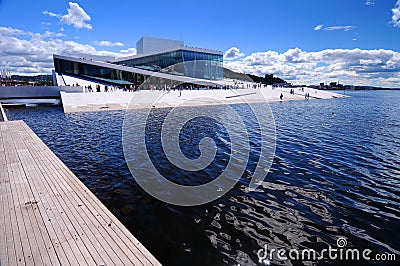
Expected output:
(32, 53)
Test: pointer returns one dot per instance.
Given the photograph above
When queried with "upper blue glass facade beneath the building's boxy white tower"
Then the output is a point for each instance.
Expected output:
(182, 62)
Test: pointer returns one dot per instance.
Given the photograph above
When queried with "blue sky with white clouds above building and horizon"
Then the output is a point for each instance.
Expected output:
(304, 42)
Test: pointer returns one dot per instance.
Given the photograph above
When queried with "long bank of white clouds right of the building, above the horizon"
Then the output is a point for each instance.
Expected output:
(349, 66)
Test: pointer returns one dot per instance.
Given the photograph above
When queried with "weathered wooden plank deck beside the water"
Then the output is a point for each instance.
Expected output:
(49, 217)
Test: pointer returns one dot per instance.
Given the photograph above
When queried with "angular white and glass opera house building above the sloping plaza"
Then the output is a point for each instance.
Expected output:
(166, 59)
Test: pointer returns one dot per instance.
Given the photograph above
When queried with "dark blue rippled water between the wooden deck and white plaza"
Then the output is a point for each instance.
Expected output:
(336, 172)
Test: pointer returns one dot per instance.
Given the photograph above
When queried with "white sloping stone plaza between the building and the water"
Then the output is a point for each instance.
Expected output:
(111, 101)
